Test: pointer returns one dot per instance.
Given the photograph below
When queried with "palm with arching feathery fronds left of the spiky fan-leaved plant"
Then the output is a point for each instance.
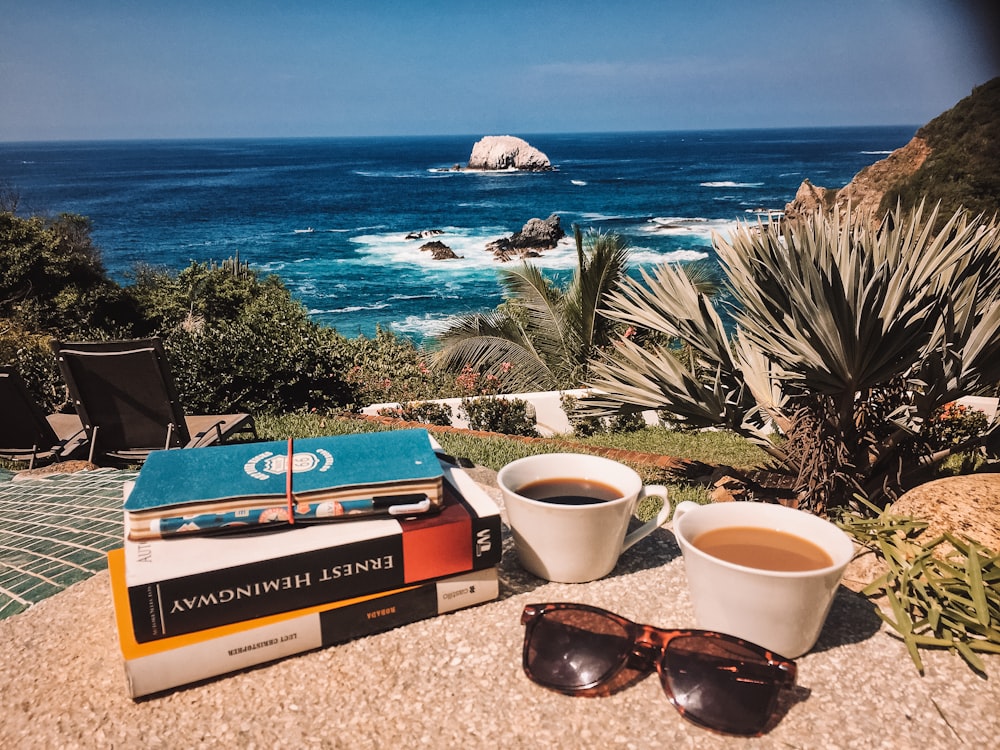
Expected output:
(544, 336)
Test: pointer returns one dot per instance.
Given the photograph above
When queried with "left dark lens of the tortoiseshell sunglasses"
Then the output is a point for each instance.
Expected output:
(574, 649)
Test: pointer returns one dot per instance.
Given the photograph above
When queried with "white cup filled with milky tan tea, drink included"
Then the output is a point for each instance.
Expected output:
(762, 572)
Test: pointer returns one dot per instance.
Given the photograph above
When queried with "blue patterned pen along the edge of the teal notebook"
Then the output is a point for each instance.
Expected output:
(302, 512)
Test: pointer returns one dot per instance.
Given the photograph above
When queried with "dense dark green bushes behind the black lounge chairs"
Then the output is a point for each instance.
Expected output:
(234, 338)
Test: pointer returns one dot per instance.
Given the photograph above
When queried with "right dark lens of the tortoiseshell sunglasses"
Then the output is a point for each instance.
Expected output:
(721, 684)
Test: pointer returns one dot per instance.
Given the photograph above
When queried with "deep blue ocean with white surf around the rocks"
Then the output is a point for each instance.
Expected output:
(330, 215)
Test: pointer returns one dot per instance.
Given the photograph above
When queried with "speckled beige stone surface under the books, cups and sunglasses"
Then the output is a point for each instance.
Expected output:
(456, 681)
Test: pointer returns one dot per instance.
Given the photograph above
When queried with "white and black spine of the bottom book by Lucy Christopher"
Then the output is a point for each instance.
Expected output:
(217, 655)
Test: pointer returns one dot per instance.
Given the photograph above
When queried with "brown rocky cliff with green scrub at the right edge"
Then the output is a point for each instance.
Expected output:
(954, 159)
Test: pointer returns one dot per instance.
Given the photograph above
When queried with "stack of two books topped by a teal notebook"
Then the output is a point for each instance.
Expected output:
(241, 554)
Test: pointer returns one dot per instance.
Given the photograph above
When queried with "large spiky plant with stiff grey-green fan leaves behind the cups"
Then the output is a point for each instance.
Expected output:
(845, 336)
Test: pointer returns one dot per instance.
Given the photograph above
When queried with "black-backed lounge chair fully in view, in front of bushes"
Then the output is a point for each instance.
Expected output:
(125, 396)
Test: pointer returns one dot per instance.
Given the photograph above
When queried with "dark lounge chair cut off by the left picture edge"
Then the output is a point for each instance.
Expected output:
(26, 432)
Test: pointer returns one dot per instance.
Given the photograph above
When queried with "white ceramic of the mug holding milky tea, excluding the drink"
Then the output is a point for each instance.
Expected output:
(781, 611)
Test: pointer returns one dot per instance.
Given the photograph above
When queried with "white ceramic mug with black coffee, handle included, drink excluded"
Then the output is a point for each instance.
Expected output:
(574, 543)
